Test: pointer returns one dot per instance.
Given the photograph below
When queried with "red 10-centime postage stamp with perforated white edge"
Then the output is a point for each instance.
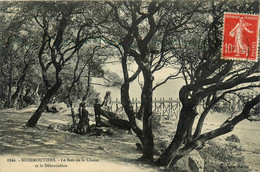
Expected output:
(240, 36)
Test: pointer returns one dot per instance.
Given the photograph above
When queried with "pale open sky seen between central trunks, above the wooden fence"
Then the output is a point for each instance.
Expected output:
(168, 90)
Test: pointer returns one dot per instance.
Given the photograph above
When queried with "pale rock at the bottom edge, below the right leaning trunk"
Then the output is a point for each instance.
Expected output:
(196, 163)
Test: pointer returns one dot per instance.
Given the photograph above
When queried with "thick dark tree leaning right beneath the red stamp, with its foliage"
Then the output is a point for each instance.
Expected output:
(208, 78)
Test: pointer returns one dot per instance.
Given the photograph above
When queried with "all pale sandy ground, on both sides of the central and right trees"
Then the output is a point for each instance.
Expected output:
(95, 153)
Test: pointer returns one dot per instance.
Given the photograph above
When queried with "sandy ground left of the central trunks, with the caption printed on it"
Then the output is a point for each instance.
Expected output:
(109, 154)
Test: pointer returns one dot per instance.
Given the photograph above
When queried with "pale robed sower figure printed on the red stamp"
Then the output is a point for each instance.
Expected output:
(240, 38)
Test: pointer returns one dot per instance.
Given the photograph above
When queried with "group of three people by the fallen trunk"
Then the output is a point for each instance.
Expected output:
(83, 126)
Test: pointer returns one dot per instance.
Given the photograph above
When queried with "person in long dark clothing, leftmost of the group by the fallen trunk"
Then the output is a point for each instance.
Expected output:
(83, 125)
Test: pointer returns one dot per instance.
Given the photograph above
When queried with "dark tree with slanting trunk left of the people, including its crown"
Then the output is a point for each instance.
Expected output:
(64, 27)
